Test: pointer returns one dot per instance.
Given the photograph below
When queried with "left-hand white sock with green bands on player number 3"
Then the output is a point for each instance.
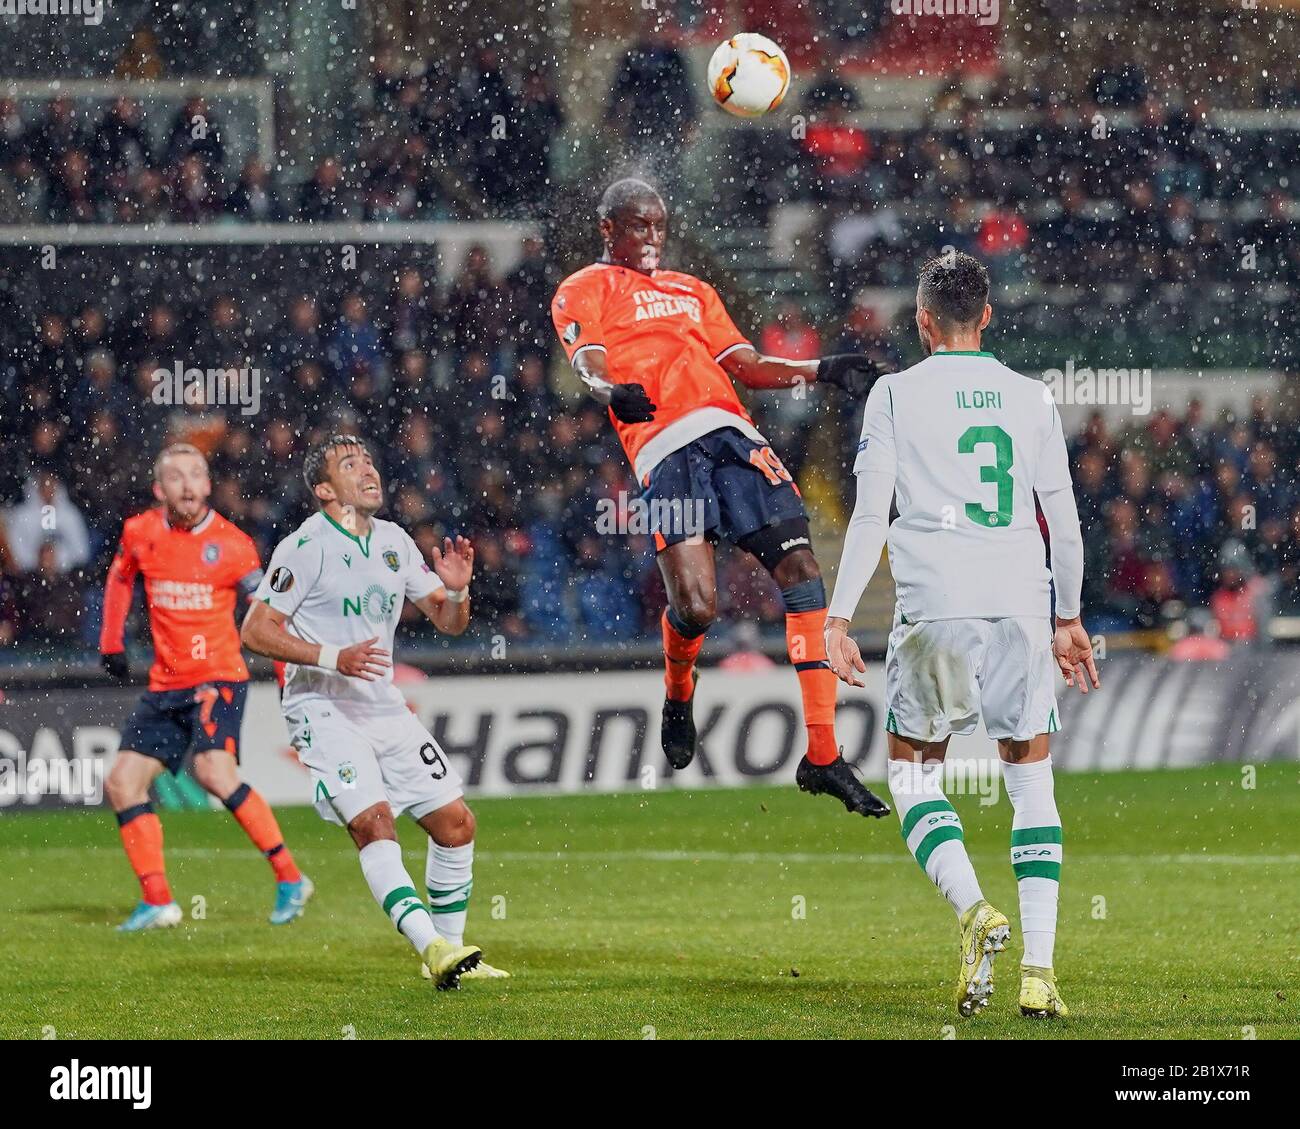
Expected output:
(933, 832)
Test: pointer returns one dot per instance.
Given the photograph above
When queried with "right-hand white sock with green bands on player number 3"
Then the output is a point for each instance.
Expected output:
(1035, 855)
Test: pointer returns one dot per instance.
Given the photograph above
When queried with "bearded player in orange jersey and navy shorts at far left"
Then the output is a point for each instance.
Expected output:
(196, 568)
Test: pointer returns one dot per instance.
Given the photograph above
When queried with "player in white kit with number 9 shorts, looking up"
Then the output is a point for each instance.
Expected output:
(330, 605)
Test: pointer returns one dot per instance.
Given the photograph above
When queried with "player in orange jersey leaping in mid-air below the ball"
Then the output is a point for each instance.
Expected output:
(661, 352)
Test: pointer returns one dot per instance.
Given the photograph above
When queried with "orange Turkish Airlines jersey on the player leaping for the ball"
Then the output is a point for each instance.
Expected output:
(668, 332)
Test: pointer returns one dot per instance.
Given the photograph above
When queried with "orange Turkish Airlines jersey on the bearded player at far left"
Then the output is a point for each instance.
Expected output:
(193, 585)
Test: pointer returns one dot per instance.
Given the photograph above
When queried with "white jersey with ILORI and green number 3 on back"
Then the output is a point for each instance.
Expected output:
(969, 442)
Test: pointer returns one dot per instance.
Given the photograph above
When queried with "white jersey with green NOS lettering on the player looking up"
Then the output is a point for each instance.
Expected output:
(339, 589)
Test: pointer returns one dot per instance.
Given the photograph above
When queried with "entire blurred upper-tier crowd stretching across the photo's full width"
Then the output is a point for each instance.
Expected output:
(1093, 214)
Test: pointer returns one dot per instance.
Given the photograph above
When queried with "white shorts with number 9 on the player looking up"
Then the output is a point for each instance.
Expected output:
(358, 762)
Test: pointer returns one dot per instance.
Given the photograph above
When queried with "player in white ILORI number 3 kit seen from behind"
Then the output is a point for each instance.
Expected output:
(965, 444)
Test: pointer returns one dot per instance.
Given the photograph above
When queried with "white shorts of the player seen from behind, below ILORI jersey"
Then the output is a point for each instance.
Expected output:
(942, 676)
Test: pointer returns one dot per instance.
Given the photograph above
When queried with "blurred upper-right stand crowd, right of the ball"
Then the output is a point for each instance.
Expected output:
(1063, 196)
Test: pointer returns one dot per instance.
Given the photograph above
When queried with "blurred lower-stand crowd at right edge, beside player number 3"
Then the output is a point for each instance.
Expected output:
(1185, 512)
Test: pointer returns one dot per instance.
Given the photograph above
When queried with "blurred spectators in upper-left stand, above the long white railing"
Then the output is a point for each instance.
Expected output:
(436, 146)
